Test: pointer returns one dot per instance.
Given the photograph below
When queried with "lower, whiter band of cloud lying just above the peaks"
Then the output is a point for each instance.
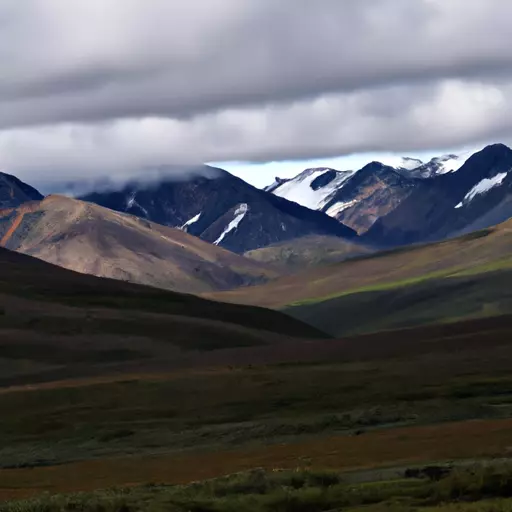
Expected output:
(441, 115)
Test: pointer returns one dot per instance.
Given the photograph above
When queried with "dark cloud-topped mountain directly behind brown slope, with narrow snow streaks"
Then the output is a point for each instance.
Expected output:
(221, 209)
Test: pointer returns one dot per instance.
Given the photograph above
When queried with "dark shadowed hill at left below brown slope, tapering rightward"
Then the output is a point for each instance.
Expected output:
(56, 322)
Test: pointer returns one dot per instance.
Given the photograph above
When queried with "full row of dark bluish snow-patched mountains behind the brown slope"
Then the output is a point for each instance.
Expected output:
(386, 205)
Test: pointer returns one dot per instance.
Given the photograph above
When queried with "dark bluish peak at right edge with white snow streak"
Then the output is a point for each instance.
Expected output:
(477, 195)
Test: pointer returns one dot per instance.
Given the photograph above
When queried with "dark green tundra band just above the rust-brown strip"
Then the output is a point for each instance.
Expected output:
(368, 385)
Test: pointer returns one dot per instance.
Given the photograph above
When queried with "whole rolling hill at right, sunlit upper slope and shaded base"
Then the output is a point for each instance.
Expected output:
(460, 278)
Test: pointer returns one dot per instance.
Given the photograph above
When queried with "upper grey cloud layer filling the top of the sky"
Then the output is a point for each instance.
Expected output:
(87, 61)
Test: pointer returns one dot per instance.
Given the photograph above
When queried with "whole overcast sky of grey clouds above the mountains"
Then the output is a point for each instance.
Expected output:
(115, 87)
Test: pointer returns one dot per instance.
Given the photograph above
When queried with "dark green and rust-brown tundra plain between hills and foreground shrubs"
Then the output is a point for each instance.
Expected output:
(415, 397)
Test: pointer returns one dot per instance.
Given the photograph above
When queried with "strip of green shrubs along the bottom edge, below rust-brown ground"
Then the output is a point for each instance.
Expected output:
(297, 491)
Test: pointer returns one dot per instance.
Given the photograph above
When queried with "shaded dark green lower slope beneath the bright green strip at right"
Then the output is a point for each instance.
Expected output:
(428, 301)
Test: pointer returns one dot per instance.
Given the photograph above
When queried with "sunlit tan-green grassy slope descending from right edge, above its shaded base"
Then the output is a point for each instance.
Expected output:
(481, 252)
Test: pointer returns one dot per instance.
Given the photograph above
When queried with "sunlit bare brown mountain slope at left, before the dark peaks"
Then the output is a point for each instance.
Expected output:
(94, 240)
